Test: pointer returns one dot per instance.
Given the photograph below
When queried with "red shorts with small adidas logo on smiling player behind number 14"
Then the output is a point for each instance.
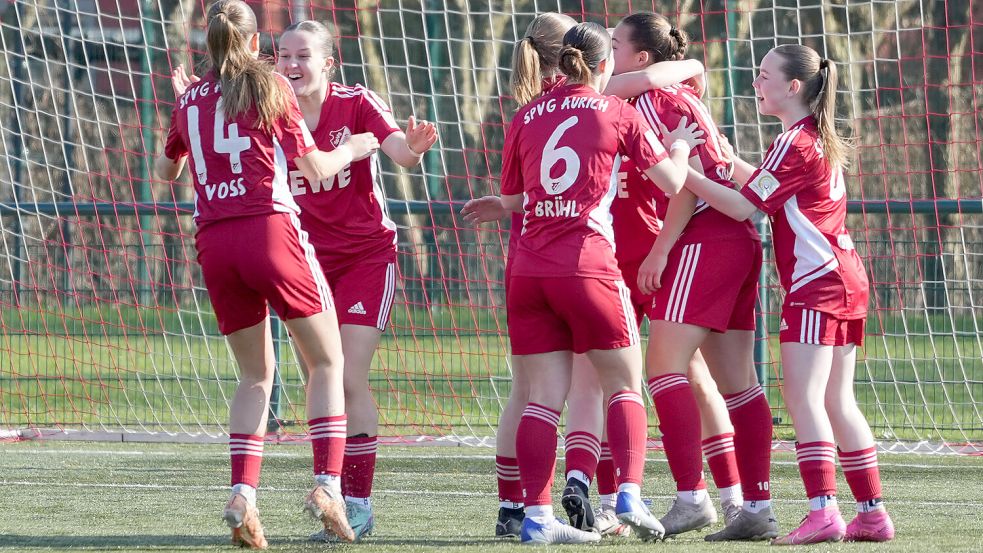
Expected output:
(364, 293)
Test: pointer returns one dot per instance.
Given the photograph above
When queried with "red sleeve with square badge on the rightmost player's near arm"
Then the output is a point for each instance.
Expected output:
(781, 175)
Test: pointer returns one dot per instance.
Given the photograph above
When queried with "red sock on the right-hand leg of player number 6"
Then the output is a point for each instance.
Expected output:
(627, 431)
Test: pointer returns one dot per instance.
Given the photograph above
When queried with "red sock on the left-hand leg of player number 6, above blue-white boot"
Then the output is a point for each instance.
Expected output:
(535, 448)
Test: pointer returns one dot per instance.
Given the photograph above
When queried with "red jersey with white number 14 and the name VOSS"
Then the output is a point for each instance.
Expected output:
(239, 170)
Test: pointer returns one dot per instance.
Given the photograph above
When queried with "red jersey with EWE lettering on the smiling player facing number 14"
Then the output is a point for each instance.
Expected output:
(345, 214)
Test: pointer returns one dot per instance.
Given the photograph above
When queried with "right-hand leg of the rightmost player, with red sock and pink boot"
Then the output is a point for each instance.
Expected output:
(857, 450)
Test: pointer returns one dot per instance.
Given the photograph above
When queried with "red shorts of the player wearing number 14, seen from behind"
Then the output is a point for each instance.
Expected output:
(248, 262)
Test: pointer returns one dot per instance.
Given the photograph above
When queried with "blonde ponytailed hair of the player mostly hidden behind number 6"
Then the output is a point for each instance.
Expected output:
(537, 55)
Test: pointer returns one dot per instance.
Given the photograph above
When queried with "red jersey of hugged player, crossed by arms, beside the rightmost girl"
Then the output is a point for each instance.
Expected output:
(665, 107)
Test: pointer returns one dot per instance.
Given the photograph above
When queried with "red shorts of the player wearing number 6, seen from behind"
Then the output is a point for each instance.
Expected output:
(576, 314)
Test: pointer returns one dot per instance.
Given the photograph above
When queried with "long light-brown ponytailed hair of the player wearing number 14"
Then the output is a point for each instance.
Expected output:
(246, 81)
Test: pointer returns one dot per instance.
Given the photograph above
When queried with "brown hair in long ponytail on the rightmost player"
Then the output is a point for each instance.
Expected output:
(819, 79)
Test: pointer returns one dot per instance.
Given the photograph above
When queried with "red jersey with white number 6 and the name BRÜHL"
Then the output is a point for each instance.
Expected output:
(563, 152)
